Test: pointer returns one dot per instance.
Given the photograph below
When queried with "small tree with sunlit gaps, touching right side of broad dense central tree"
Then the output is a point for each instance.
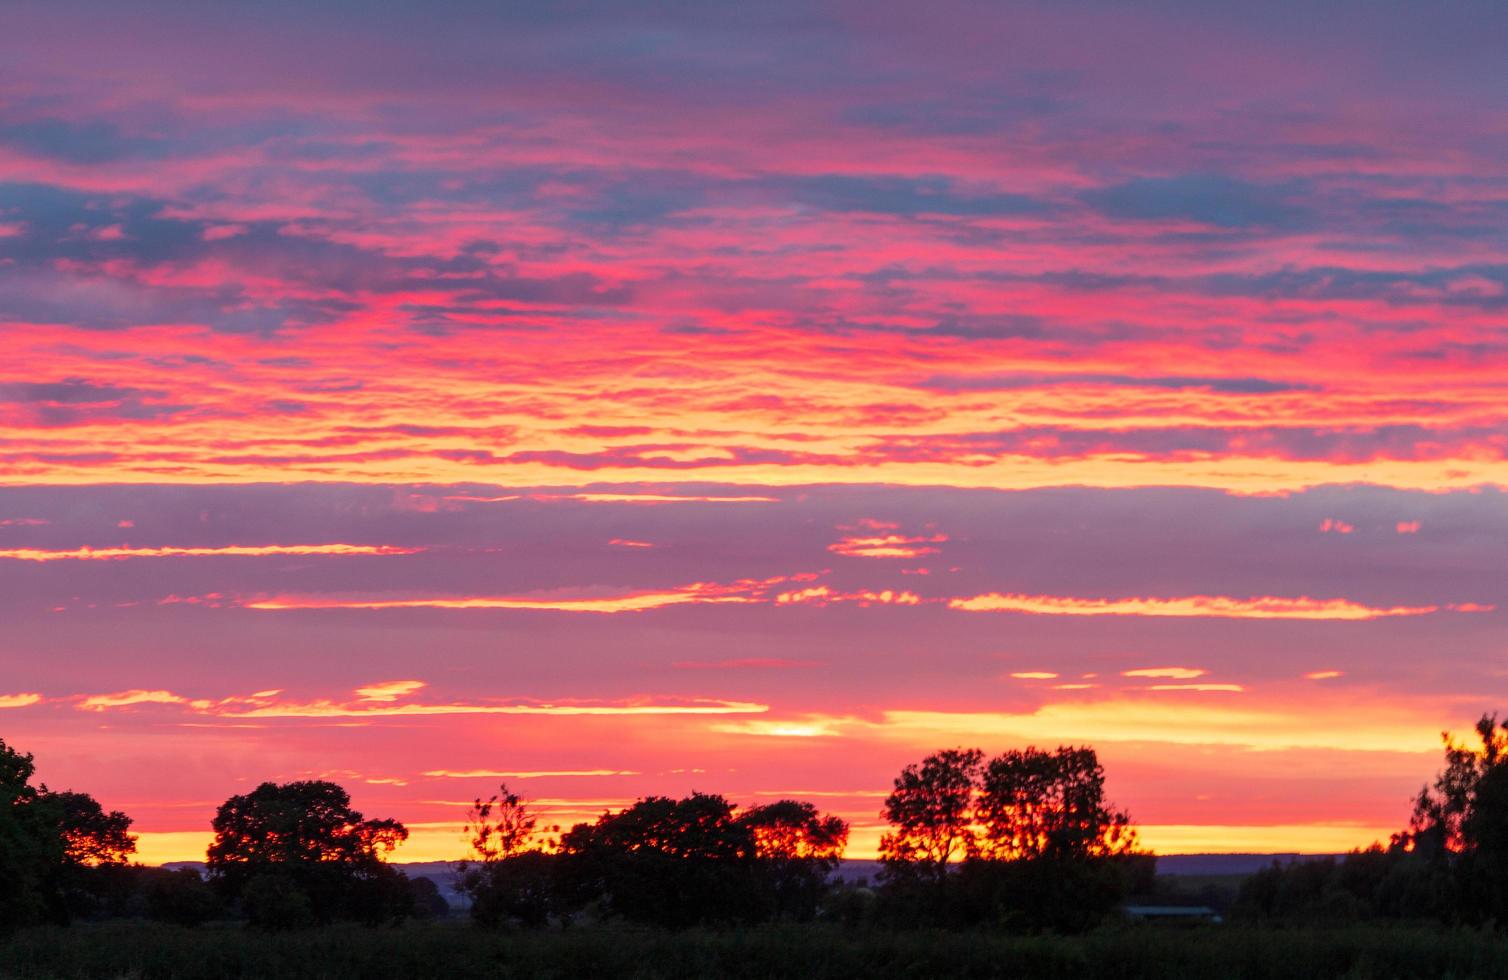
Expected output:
(795, 851)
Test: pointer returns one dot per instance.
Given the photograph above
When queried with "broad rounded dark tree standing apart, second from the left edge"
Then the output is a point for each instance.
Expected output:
(308, 835)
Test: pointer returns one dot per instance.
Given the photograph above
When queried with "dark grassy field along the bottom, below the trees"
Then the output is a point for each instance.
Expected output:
(449, 951)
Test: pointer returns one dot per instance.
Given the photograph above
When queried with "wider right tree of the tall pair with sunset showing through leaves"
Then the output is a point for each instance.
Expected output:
(1037, 804)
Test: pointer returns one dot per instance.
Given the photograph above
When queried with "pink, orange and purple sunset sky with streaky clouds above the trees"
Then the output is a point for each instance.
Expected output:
(622, 399)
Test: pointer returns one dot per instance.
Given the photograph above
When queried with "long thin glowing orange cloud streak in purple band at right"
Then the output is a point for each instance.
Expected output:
(1221, 607)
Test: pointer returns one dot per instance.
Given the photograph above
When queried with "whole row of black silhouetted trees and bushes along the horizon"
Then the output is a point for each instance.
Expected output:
(1022, 842)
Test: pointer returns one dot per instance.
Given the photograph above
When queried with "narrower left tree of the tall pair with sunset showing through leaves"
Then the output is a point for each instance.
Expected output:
(933, 810)
